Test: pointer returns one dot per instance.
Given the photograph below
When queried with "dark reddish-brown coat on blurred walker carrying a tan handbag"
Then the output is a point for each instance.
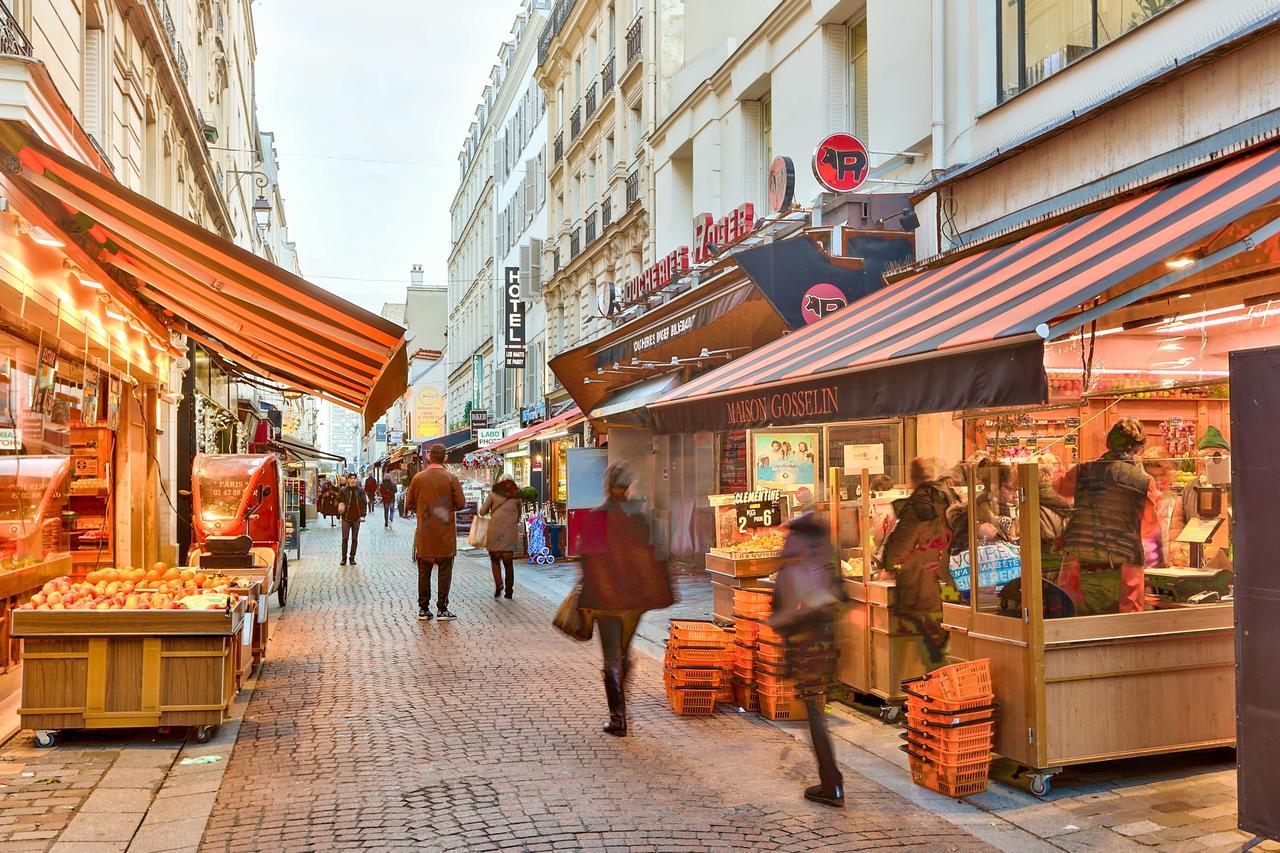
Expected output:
(620, 569)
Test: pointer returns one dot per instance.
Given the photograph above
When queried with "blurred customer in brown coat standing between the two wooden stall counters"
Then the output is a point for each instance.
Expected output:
(917, 553)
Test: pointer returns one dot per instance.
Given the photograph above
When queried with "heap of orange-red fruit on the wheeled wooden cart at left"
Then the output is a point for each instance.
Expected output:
(158, 589)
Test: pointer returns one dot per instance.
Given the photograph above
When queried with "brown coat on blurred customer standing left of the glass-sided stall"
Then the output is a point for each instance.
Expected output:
(920, 548)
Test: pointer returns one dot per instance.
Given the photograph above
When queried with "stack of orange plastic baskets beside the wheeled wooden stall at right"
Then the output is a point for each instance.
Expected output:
(950, 728)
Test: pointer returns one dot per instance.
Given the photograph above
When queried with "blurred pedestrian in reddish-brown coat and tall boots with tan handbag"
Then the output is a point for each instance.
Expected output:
(621, 580)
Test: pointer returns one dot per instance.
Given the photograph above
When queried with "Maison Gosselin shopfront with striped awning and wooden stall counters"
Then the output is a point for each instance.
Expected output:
(1034, 348)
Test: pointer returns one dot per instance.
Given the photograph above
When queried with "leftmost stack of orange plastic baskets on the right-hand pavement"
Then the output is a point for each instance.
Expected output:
(698, 655)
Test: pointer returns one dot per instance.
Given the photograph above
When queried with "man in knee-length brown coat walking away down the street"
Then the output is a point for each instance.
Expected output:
(435, 495)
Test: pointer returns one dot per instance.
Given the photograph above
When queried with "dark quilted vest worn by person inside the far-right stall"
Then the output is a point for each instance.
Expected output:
(1110, 501)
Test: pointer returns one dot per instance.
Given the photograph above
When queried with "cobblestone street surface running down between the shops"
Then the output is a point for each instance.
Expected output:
(372, 731)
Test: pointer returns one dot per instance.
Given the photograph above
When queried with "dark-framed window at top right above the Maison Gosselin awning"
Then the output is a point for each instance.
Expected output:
(1037, 39)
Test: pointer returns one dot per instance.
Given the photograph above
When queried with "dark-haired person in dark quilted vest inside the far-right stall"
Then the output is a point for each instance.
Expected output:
(1103, 568)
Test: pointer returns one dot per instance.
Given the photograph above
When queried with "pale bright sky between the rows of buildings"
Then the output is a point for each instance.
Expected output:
(369, 111)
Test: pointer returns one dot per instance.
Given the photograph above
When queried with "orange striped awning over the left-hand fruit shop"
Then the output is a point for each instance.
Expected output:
(240, 305)
